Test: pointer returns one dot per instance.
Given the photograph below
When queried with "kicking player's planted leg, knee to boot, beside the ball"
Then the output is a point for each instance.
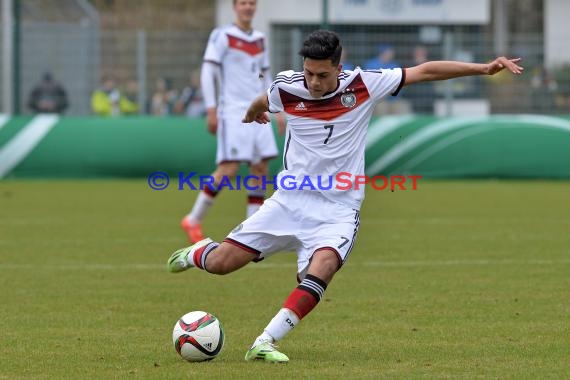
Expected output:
(300, 302)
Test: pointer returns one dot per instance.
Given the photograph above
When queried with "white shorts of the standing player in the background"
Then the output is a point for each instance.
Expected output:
(244, 142)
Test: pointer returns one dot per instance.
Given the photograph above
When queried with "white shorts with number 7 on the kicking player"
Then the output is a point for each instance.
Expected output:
(301, 221)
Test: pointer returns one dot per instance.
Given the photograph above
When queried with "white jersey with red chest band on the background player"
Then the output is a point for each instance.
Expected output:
(242, 57)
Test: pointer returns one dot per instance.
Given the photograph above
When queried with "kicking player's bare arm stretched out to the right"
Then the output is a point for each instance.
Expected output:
(441, 70)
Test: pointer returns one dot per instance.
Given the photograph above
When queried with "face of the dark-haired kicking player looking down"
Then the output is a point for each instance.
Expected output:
(321, 76)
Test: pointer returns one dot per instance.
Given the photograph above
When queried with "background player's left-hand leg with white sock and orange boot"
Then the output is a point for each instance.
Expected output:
(192, 223)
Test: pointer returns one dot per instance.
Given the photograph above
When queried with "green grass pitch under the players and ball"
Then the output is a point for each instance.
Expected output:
(454, 280)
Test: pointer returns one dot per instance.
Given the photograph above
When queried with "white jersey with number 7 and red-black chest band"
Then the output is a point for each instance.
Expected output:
(326, 136)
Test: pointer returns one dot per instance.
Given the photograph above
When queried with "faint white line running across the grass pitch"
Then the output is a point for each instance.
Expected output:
(392, 264)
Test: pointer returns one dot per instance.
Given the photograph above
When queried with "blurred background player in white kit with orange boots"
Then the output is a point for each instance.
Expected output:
(235, 71)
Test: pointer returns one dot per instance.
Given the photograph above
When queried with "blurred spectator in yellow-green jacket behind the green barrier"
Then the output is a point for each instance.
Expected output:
(108, 100)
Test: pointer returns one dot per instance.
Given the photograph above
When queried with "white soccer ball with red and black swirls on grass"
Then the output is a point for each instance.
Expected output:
(198, 336)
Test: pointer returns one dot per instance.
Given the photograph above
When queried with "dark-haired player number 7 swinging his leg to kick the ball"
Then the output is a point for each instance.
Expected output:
(328, 112)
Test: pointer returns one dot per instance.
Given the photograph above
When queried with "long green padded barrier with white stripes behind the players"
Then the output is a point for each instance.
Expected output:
(524, 146)
